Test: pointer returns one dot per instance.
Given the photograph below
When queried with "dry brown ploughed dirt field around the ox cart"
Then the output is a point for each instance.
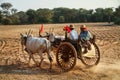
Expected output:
(13, 62)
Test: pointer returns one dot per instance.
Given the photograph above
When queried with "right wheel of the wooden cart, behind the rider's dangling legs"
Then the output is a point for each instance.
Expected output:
(92, 57)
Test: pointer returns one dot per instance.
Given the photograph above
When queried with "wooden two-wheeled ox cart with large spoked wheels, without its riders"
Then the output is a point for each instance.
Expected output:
(68, 52)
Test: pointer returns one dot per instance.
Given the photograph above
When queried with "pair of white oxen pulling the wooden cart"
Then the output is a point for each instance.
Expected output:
(38, 45)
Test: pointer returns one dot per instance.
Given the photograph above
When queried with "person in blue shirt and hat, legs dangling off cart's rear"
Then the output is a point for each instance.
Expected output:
(85, 37)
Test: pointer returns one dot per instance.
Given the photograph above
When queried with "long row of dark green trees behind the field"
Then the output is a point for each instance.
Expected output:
(9, 15)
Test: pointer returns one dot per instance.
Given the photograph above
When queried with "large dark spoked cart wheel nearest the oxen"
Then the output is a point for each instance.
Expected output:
(66, 56)
